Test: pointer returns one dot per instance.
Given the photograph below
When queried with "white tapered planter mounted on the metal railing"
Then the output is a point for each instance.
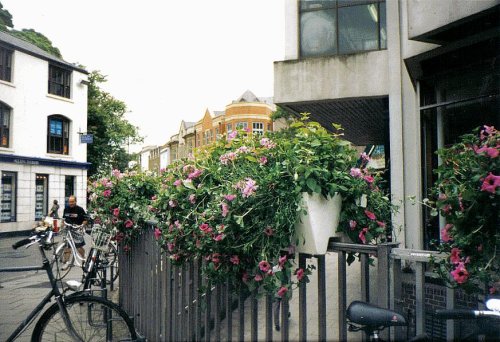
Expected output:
(313, 230)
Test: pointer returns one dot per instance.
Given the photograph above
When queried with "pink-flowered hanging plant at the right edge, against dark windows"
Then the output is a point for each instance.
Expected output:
(467, 195)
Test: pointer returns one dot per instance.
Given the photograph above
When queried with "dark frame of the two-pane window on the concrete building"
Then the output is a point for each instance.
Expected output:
(335, 6)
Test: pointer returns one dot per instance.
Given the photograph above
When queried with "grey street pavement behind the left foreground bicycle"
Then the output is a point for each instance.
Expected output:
(21, 292)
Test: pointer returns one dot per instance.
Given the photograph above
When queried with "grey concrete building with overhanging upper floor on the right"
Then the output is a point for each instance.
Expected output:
(407, 76)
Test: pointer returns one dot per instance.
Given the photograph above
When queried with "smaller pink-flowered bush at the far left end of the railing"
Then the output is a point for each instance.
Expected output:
(123, 201)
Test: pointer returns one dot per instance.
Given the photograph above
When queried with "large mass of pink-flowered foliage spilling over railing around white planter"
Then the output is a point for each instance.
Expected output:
(235, 206)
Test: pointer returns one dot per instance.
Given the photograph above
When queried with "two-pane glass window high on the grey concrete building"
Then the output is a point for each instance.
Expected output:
(341, 27)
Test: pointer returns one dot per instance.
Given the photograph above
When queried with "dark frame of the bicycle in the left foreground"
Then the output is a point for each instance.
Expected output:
(54, 292)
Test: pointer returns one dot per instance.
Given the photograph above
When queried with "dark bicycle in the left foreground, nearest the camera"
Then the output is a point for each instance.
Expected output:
(77, 317)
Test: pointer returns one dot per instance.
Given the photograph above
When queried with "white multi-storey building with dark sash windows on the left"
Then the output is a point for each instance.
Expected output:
(43, 110)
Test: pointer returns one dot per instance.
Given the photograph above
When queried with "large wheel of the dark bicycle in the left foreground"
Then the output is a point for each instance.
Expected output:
(93, 318)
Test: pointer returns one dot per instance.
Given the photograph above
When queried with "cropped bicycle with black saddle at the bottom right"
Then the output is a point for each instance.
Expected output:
(372, 319)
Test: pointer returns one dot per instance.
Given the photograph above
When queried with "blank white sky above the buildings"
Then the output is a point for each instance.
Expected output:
(167, 60)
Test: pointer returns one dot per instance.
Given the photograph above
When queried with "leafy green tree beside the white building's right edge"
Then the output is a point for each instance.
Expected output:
(111, 130)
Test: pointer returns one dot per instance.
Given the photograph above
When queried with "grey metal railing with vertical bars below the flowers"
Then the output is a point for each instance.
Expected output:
(168, 306)
